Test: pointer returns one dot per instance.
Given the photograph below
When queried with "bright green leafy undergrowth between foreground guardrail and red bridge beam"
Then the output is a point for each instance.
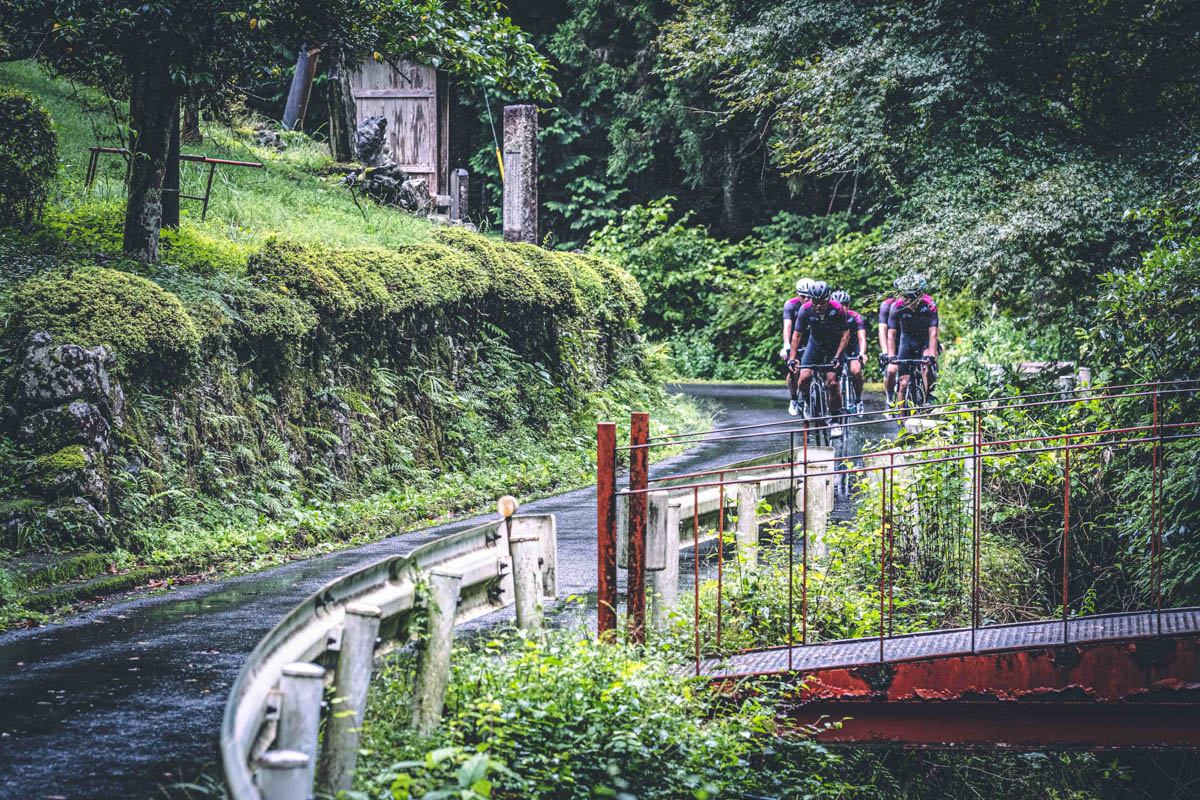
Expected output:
(573, 718)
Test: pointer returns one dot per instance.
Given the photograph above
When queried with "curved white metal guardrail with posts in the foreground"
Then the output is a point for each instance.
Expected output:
(269, 731)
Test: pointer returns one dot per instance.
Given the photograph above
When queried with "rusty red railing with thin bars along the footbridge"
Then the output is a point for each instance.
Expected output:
(980, 440)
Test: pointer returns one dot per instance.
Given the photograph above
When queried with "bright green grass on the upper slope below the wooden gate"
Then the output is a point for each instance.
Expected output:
(291, 196)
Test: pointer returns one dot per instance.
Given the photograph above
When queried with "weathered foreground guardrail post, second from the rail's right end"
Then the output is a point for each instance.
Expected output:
(434, 663)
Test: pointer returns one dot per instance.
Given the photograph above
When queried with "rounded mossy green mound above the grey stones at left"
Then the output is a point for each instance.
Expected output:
(140, 322)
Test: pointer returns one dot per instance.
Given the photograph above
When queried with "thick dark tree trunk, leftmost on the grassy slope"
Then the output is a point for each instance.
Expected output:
(152, 106)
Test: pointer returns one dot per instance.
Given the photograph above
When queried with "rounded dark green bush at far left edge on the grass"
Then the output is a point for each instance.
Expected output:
(28, 157)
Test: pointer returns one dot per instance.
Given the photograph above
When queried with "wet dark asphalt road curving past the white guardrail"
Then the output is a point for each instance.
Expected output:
(125, 700)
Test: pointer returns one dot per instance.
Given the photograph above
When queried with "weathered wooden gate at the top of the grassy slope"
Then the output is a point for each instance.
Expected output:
(415, 100)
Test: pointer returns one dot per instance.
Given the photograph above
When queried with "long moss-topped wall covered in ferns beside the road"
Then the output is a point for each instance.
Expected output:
(323, 372)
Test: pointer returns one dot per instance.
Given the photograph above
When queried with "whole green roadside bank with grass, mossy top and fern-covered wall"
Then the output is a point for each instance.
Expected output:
(295, 372)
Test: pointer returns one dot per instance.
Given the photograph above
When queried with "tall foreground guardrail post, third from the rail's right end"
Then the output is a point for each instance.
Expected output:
(355, 661)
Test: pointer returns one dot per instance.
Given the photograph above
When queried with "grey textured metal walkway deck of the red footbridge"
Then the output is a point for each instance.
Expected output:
(932, 645)
